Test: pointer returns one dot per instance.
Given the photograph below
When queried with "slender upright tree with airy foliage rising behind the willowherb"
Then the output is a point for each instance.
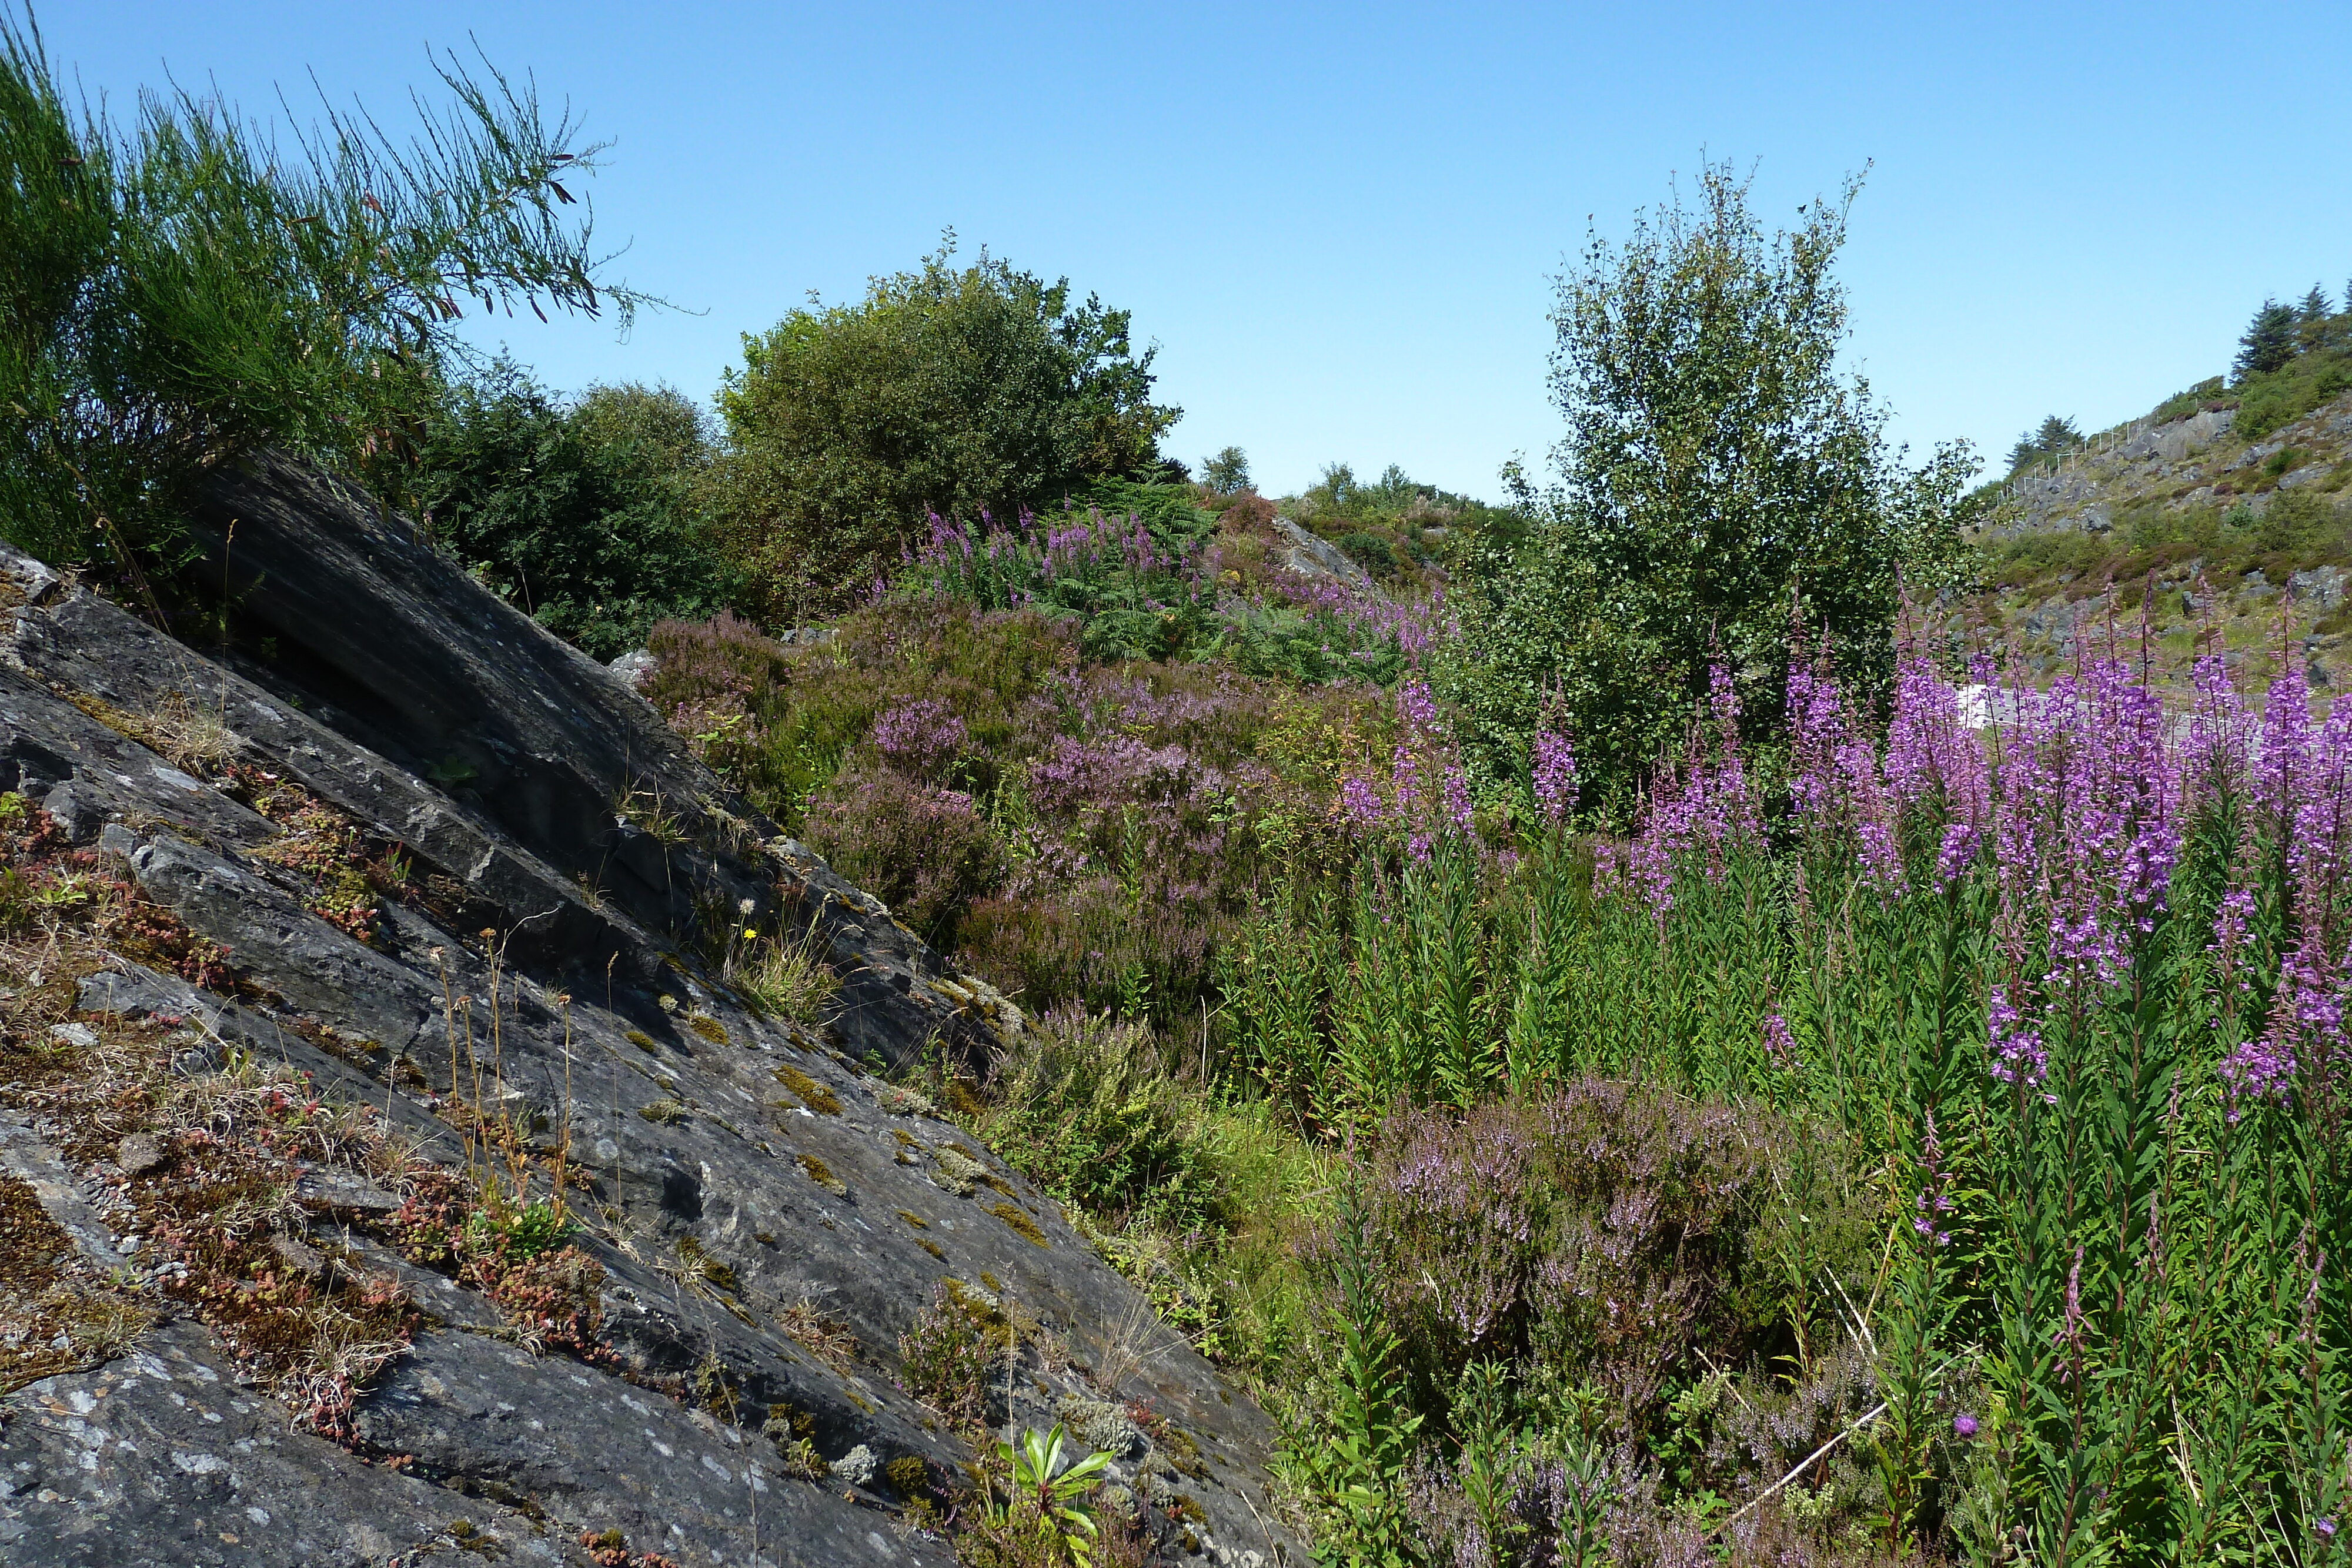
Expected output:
(1718, 476)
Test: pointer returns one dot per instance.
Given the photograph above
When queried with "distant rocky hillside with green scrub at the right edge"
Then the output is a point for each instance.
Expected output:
(2231, 500)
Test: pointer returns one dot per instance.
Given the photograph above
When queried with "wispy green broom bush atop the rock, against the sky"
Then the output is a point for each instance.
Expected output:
(178, 290)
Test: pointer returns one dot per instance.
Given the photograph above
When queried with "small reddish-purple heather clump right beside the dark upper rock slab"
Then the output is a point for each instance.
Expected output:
(921, 850)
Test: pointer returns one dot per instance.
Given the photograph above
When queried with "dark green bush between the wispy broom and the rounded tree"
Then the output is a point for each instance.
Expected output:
(584, 516)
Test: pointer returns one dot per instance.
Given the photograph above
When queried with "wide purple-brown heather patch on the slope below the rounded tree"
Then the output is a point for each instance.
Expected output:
(1102, 826)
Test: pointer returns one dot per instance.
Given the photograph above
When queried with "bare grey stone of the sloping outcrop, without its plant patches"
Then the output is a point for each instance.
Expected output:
(742, 1179)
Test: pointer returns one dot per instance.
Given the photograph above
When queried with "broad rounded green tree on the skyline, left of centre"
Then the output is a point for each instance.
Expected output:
(942, 391)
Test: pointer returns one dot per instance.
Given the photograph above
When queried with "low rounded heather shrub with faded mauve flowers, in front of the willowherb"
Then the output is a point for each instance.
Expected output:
(1601, 1231)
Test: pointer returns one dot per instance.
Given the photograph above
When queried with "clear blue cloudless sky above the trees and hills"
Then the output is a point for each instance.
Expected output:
(1342, 222)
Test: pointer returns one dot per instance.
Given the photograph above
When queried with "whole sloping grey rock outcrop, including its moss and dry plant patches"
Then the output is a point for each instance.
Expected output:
(439, 1118)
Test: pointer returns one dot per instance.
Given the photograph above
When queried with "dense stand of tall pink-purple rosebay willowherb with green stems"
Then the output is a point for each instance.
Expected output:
(2059, 977)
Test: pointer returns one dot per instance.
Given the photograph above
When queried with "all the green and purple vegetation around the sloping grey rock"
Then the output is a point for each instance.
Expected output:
(1591, 1021)
